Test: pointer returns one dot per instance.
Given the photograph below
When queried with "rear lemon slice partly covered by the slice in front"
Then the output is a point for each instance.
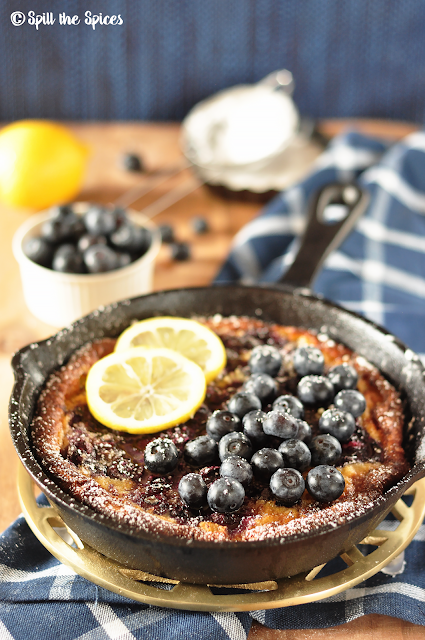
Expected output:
(190, 338)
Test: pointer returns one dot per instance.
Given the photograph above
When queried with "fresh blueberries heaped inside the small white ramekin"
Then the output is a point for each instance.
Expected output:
(101, 239)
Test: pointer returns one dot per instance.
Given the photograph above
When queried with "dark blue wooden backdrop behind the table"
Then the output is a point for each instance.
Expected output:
(349, 57)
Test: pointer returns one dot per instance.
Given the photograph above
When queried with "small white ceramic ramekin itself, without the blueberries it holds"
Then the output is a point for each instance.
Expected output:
(60, 298)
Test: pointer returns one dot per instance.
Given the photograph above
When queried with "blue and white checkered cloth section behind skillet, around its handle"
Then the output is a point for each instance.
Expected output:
(379, 270)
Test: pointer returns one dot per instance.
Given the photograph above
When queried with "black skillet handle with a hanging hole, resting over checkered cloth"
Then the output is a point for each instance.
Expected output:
(322, 235)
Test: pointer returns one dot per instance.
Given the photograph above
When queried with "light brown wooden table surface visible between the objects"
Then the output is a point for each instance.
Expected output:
(158, 144)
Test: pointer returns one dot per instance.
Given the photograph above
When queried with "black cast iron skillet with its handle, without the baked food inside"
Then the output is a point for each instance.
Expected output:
(230, 562)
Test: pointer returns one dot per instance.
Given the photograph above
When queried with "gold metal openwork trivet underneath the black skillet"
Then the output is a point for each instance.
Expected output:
(300, 589)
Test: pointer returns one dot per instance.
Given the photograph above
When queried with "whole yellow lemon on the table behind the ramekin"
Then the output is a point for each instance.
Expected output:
(41, 163)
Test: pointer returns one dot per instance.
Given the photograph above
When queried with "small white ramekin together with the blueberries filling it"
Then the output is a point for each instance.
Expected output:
(75, 258)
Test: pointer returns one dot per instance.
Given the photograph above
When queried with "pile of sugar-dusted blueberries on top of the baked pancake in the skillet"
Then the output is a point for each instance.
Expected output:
(276, 446)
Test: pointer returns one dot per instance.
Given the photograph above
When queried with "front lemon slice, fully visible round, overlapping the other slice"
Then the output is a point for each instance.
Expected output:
(144, 390)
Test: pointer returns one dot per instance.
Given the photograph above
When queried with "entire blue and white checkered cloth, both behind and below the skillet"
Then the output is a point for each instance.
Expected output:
(378, 271)
